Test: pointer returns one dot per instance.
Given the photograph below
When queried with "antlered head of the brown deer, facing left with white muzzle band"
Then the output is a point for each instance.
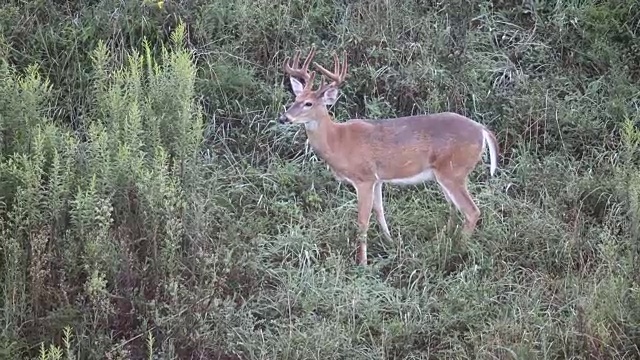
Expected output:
(310, 105)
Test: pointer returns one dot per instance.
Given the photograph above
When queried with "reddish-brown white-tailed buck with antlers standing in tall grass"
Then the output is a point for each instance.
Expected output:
(406, 150)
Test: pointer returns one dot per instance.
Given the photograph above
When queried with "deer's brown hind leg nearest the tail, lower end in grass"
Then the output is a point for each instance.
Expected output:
(455, 188)
